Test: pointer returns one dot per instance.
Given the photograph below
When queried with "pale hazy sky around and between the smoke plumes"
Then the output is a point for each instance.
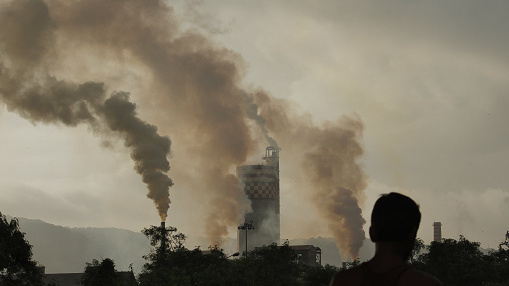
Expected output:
(428, 79)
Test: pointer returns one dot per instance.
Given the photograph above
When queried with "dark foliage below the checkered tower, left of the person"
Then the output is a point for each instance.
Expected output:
(170, 263)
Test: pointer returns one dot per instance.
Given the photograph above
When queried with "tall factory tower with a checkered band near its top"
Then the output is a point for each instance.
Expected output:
(261, 185)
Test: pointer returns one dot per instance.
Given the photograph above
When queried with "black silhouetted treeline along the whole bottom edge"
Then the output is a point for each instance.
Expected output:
(454, 262)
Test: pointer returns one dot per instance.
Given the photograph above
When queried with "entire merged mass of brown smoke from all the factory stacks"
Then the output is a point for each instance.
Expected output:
(191, 90)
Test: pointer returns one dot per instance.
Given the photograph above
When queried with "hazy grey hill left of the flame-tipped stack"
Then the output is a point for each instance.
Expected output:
(63, 249)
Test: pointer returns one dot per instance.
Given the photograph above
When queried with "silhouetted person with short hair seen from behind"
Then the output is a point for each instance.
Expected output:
(394, 223)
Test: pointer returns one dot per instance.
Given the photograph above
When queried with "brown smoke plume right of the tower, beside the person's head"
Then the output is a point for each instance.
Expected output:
(328, 156)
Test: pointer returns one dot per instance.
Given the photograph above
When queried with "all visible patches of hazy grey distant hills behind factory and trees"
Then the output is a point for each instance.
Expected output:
(65, 250)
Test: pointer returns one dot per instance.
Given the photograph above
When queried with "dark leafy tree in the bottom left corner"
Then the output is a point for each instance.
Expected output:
(16, 264)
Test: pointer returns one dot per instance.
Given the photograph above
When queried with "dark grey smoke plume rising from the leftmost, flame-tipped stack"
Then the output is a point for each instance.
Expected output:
(26, 89)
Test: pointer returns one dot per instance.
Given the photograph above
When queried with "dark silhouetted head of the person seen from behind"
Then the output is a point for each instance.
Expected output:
(395, 217)
